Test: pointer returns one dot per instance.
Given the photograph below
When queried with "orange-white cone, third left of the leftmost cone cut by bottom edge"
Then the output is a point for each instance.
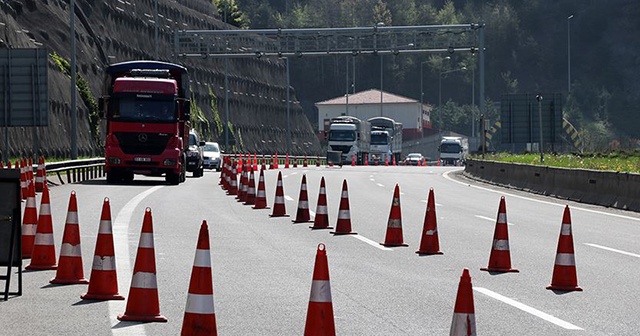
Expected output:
(70, 269)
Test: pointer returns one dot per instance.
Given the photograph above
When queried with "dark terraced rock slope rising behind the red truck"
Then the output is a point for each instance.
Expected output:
(116, 31)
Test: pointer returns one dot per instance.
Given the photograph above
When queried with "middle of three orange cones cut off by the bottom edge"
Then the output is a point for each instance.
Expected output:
(320, 312)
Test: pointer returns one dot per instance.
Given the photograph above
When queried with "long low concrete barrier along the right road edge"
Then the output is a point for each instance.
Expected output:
(606, 188)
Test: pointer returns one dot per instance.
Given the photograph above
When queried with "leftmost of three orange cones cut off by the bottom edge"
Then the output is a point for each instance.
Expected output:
(199, 313)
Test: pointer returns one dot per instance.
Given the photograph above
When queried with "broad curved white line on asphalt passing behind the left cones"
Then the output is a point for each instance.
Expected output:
(121, 246)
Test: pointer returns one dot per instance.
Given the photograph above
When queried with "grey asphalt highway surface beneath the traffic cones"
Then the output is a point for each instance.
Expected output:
(262, 266)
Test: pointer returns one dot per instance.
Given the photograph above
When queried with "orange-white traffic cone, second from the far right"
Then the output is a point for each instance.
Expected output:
(500, 258)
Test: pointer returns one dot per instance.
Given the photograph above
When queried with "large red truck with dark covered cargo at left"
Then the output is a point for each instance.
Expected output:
(147, 110)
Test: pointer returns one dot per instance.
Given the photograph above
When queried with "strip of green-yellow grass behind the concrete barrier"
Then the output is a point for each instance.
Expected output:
(618, 161)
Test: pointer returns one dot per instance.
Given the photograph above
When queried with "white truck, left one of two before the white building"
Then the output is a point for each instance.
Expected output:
(350, 136)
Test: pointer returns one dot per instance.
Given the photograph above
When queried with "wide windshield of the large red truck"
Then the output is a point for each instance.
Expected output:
(145, 110)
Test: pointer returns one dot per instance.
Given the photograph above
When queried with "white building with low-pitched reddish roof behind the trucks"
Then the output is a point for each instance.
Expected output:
(370, 103)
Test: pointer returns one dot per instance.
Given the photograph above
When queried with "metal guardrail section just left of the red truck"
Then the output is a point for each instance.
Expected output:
(75, 170)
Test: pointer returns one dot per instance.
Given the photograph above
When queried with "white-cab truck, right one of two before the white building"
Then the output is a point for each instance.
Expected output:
(386, 140)
